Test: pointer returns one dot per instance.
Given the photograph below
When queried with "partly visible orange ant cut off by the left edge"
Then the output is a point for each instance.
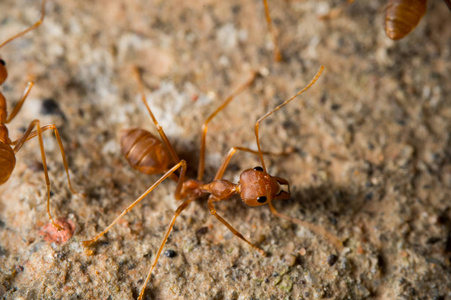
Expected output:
(8, 148)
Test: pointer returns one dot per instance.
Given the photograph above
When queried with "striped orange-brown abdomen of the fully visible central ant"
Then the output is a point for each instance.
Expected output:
(144, 152)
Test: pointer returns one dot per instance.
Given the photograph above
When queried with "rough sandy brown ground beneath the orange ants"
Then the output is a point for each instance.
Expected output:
(372, 159)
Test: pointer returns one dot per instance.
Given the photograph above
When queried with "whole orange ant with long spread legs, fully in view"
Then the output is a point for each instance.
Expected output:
(256, 187)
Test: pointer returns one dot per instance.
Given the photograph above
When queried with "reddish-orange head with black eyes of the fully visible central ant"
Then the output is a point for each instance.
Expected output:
(257, 187)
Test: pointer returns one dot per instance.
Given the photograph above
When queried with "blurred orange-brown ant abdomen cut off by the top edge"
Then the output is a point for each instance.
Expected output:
(402, 16)
